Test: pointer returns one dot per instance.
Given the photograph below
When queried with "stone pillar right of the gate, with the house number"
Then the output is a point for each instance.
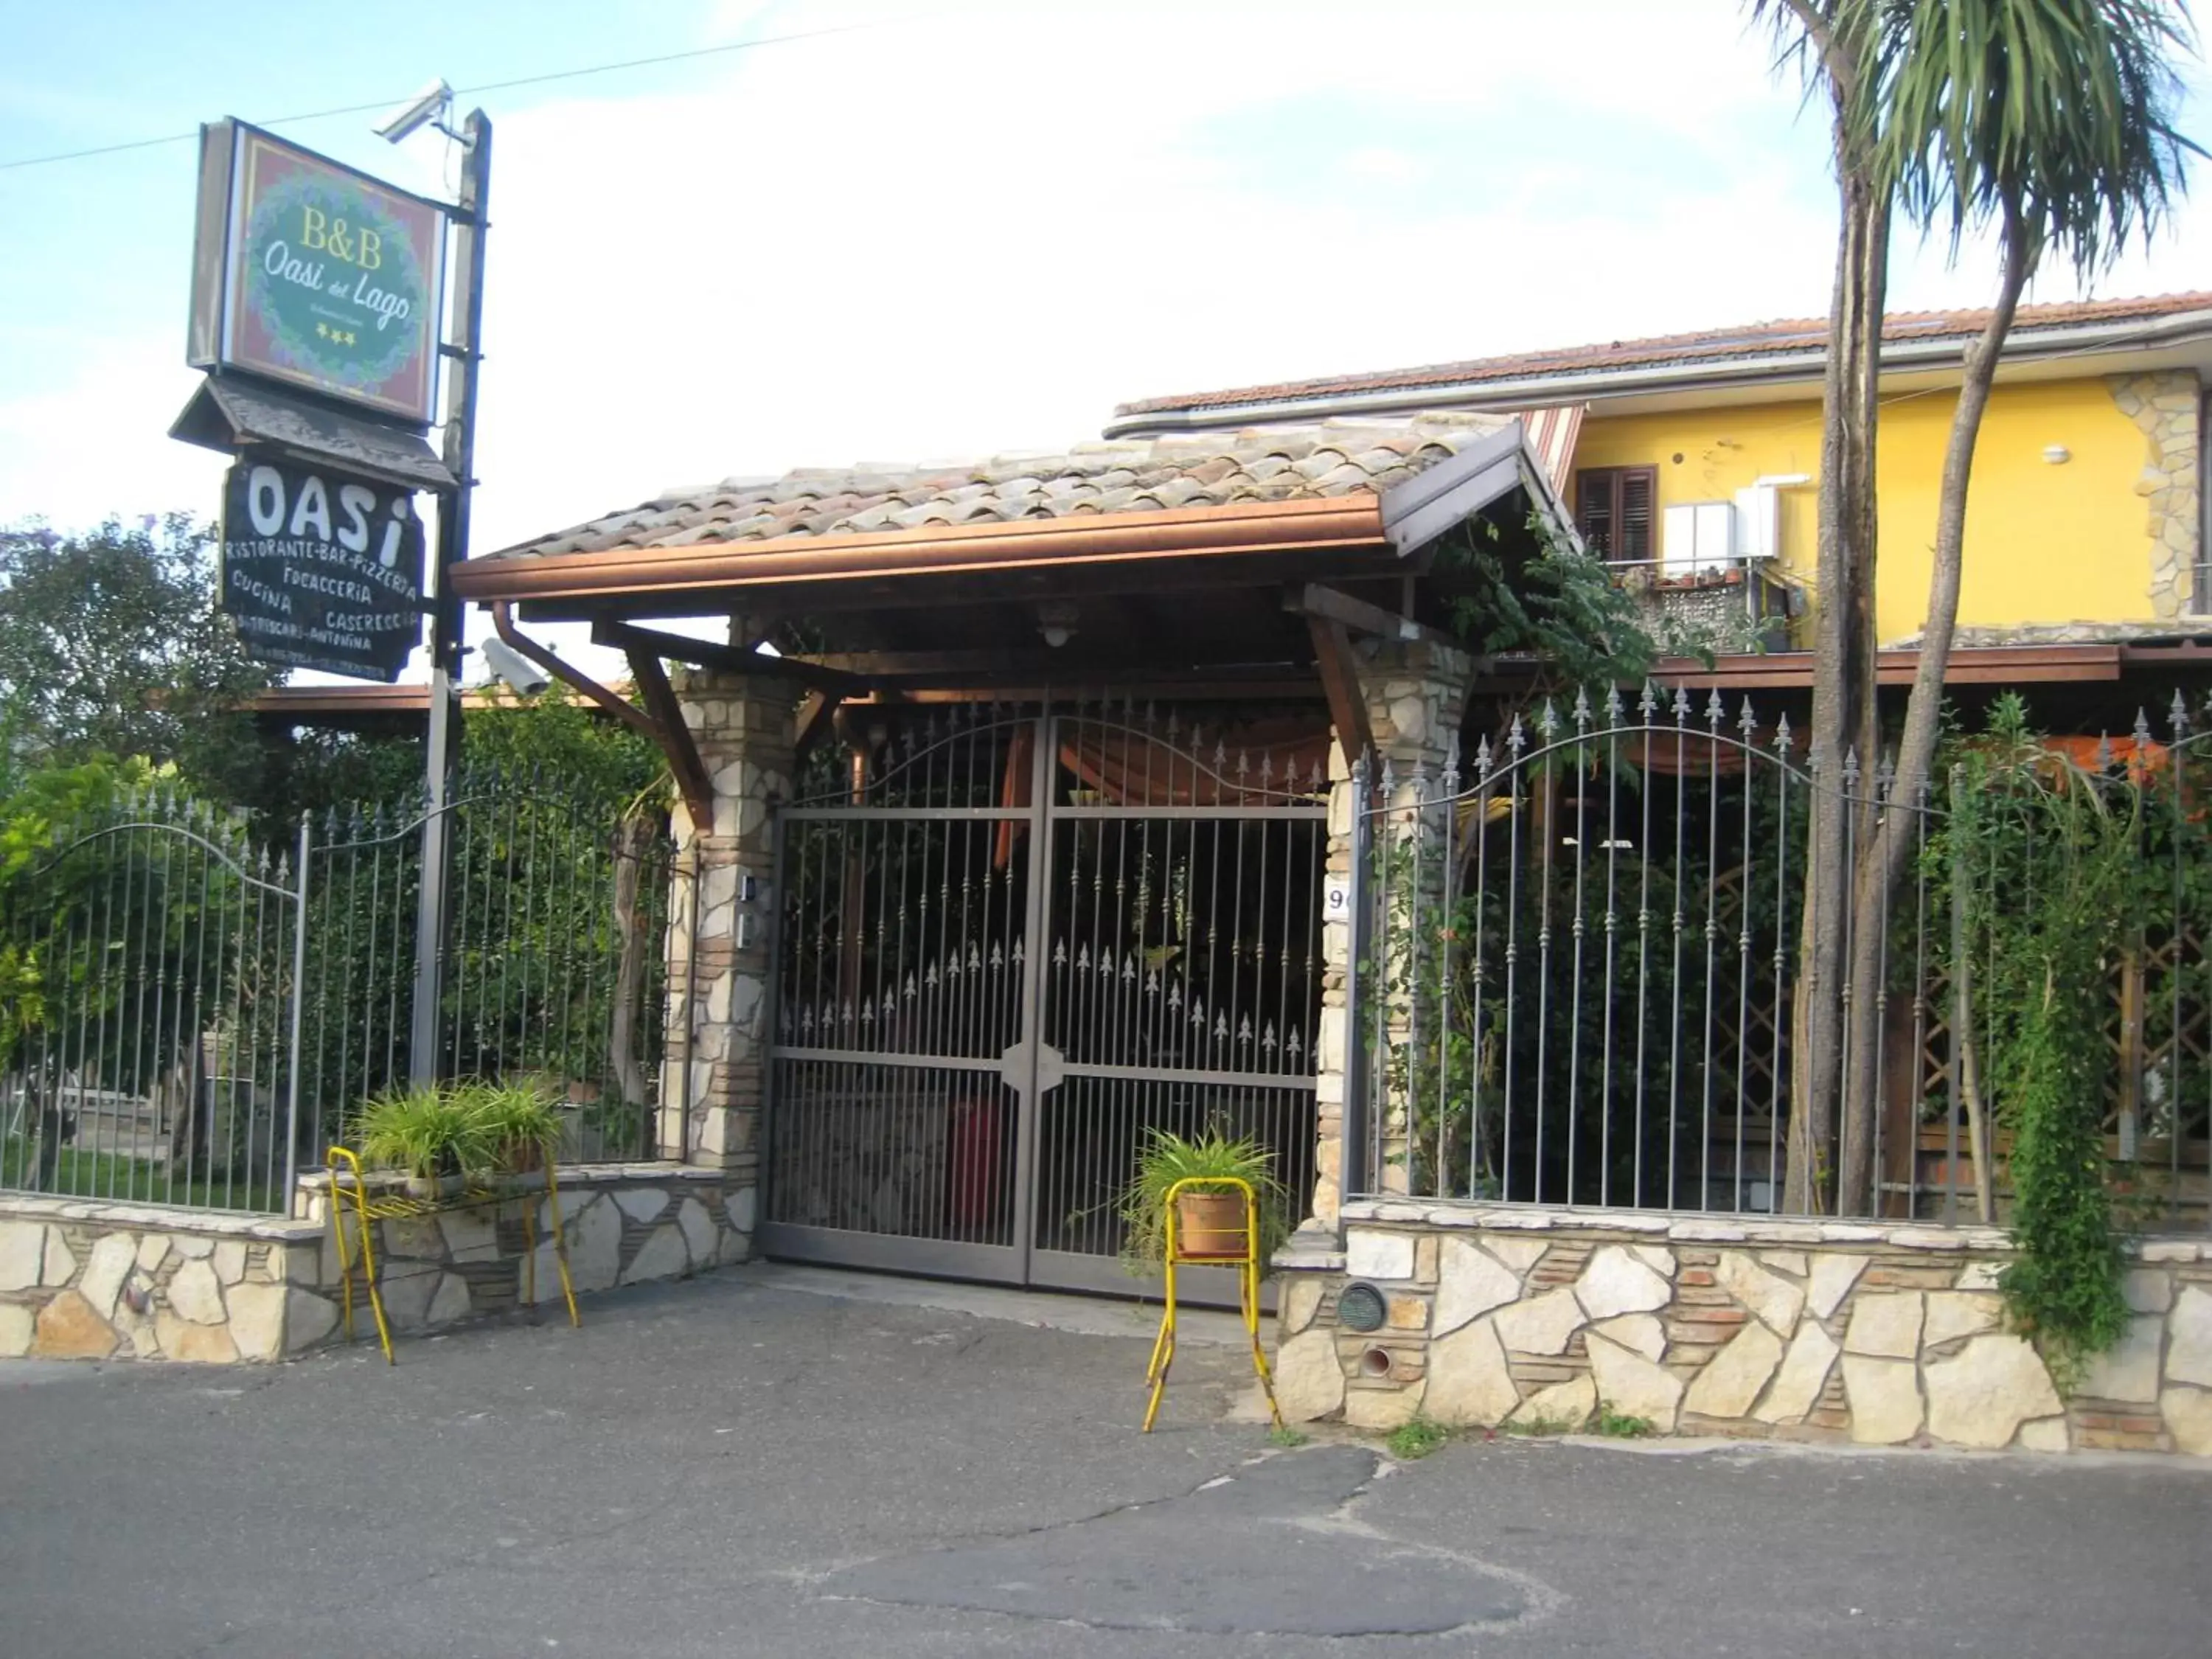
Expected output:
(1415, 696)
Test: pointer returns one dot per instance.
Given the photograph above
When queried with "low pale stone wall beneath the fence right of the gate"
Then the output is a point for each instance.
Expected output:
(1877, 1335)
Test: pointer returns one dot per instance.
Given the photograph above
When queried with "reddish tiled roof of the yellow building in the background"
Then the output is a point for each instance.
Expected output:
(1711, 346)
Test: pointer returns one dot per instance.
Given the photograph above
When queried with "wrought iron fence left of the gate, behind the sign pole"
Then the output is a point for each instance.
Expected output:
(196, 1014)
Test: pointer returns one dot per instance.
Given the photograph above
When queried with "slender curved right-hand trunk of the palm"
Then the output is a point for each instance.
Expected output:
(1884, 853)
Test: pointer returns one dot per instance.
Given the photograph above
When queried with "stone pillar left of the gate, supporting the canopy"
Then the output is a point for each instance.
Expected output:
(718, 943)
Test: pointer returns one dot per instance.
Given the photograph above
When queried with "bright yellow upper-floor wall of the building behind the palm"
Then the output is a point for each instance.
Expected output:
(2045, 543)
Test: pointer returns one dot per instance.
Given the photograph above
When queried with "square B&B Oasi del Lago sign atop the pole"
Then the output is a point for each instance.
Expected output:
(311, 273)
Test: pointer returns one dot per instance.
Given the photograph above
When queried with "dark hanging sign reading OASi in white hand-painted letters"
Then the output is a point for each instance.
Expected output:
(322, 572)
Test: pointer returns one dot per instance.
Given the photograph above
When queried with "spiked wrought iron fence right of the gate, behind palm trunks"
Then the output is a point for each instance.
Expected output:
(1576, 970)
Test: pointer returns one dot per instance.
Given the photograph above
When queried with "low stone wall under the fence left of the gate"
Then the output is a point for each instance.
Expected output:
(83, 1280)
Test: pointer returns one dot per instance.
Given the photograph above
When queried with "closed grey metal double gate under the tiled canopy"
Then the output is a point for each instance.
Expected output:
(1012, 946)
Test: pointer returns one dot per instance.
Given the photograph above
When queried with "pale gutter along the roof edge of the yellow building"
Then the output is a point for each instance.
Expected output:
(1587, 386)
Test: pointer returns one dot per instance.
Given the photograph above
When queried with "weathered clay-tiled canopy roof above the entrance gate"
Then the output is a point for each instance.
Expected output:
(1140, 477)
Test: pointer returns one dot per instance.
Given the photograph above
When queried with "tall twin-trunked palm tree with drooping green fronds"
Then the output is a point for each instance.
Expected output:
(2052, 121)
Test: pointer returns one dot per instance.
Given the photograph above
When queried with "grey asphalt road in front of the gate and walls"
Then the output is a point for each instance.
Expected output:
(744, 1468)
